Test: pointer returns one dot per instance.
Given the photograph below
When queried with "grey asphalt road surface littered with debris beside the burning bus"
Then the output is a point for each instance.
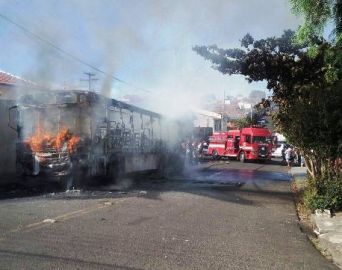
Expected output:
(218, 216)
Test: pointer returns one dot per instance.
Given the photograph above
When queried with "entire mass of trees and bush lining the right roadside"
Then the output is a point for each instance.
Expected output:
(303, 72)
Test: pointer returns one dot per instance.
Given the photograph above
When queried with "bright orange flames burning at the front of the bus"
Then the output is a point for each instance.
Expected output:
(42, 140)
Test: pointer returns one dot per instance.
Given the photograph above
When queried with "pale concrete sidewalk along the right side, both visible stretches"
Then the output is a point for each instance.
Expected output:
(328, 227)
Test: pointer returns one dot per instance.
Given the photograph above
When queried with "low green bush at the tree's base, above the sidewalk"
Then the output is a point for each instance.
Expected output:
(324, 193)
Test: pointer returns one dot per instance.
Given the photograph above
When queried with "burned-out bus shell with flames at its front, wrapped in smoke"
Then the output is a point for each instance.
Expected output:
(71, 136)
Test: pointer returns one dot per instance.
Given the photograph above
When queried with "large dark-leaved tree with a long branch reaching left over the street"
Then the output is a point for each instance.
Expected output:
(305, 89)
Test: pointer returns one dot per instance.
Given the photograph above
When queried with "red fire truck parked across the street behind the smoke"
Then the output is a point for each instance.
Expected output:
(252, 143)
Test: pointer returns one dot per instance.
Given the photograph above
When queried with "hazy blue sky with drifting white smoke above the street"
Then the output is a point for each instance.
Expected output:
(138, 47)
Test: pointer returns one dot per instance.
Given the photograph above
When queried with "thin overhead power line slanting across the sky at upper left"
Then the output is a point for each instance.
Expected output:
(75, 58)
